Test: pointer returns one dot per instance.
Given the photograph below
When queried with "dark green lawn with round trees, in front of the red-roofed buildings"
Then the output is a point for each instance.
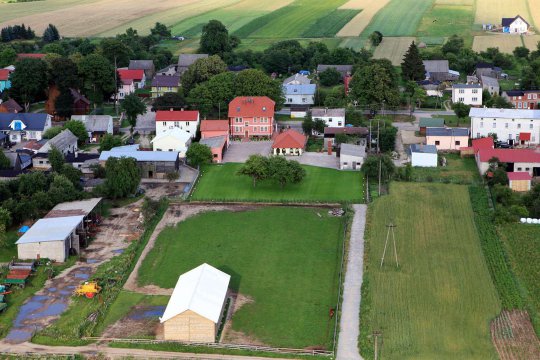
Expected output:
(220, 183)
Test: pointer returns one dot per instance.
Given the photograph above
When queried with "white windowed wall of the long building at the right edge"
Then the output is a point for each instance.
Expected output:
(506, 129)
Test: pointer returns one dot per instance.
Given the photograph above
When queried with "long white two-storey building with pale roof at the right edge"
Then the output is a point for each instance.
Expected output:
(517, 126)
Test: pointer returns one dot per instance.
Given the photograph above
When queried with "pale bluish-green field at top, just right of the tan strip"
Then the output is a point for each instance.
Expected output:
(398, 18)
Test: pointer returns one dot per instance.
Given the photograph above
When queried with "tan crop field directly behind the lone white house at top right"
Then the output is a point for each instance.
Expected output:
(492, 11)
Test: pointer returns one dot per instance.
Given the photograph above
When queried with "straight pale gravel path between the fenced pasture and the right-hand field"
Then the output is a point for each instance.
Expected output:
(349, 325)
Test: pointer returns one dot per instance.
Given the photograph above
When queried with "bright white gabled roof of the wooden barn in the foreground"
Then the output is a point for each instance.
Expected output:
(201, 290)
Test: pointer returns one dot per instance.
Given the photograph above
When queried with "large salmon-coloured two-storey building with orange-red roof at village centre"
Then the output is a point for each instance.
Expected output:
(252, 116)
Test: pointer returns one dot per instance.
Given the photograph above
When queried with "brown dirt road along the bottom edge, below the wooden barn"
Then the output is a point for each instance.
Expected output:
(112, 353)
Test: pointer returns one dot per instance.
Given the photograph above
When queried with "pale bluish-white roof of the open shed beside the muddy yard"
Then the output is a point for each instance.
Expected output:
(51, 229)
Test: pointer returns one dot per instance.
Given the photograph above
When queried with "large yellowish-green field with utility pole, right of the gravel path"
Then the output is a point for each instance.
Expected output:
(439, 302)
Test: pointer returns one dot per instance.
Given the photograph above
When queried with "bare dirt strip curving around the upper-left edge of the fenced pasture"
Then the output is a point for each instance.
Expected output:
(175, 214)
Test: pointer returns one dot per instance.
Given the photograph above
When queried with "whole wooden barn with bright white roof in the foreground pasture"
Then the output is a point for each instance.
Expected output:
(195, 307)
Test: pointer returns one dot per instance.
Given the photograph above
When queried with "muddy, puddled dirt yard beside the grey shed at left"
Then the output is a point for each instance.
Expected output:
(48, 304)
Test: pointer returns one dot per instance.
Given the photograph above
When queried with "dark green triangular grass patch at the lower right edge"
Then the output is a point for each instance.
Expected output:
(522, 243)
